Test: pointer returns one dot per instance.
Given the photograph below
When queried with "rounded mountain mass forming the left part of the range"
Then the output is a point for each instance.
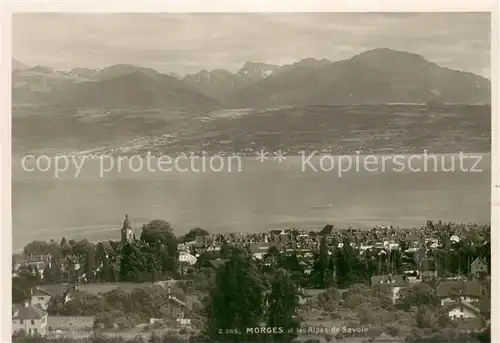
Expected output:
(119, 86)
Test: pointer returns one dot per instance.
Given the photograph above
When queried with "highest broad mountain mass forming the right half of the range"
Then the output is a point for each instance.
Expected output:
(375, 76)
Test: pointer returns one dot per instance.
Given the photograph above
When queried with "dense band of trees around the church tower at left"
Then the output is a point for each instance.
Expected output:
(149, 258)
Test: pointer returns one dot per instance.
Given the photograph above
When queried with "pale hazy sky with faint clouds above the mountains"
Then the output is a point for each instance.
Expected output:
(187, 43)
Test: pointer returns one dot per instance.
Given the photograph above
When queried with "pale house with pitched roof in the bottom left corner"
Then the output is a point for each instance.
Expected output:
(30, 318)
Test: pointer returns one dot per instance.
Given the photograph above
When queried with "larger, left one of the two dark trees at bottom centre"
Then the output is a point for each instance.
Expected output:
(235, 302)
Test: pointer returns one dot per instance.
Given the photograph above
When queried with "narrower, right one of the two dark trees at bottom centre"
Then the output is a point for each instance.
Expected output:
(283, 302)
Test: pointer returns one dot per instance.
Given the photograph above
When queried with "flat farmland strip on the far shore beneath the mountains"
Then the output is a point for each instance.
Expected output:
(382, 129)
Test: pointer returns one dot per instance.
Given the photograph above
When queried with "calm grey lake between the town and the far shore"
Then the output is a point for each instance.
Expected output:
(259, 197)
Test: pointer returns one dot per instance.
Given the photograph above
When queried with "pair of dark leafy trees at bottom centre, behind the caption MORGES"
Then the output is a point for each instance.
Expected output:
(244, 300)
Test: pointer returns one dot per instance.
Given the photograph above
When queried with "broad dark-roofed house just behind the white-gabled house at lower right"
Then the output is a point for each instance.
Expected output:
(465, 291)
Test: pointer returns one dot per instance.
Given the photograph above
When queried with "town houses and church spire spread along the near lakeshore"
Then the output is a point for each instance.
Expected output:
(400, 259)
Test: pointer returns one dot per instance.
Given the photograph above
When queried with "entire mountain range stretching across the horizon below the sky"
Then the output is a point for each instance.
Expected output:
(372, 77)
